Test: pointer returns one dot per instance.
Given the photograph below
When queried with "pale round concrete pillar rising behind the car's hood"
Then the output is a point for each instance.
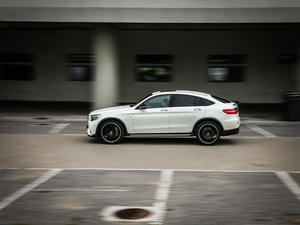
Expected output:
(105, 86)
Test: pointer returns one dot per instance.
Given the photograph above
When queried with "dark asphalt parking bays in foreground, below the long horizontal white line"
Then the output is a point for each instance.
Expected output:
(192, 197)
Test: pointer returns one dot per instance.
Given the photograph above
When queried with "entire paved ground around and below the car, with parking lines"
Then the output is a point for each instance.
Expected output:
(52, 173)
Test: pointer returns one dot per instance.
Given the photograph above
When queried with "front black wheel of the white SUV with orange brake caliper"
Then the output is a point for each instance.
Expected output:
(111, 132)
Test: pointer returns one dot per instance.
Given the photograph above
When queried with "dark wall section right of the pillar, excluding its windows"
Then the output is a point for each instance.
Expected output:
(265, 80)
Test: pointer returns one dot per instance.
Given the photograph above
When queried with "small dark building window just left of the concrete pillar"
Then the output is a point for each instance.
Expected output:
(80, 67)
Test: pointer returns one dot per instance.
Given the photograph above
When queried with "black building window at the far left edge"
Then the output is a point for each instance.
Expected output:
(17, 66)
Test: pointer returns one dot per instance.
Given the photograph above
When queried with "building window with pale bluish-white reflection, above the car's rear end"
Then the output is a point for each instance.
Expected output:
(226, 68)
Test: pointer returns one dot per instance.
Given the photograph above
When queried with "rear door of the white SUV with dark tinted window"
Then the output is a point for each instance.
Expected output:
(186, 110)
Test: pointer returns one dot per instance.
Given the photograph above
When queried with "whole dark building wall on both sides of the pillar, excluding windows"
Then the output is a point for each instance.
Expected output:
(265, 80)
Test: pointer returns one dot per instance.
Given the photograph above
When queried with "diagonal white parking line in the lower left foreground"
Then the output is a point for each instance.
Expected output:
(13, 197)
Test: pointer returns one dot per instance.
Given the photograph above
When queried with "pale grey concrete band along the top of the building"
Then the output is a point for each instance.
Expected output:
(154, 11)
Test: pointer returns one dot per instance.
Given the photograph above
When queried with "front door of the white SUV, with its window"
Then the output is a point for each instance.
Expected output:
(153, 115)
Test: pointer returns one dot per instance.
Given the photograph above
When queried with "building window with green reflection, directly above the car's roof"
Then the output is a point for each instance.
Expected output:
(154, 68)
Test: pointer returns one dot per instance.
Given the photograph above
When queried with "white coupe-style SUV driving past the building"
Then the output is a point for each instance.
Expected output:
(167, 113)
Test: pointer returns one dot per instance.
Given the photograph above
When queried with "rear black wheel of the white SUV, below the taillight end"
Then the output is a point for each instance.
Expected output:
(208, 133)
